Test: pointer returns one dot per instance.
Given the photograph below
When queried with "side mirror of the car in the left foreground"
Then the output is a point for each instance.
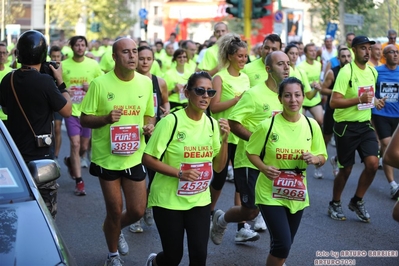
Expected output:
(44, 171)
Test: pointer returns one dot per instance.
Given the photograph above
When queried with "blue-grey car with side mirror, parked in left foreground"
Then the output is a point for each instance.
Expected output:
(28, 233)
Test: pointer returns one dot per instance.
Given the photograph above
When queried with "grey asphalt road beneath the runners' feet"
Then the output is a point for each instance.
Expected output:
(319, 237)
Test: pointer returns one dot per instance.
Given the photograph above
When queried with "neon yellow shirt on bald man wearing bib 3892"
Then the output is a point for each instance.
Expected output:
(135, 99)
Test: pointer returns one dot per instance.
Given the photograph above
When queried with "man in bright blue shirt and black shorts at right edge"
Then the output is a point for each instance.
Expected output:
(387, 119)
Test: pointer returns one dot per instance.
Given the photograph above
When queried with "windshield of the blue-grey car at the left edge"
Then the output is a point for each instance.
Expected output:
(13, 187)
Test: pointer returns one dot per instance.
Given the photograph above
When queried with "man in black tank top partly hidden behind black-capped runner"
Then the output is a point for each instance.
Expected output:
(344, 57)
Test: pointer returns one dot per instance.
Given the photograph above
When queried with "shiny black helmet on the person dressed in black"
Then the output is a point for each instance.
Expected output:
(31, 48)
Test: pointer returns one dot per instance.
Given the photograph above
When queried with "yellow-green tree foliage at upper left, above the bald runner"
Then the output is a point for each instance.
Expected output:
(114, 17)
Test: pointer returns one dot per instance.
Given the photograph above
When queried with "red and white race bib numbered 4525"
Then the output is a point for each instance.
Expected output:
(189, 188)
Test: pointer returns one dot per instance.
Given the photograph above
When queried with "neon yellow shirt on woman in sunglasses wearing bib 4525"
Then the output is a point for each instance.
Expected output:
(193, 142)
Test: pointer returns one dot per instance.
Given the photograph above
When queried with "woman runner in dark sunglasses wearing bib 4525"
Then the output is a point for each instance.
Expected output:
(184, 149)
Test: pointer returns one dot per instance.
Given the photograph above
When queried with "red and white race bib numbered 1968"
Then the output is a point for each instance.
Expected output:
(289, 185)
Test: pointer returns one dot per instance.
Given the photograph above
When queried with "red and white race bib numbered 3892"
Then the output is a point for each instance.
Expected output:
(125, 140)
